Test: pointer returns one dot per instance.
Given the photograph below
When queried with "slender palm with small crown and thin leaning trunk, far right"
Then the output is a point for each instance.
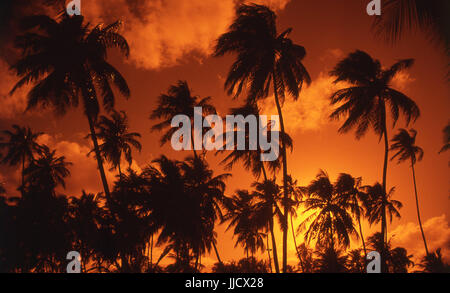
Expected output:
(404, 144)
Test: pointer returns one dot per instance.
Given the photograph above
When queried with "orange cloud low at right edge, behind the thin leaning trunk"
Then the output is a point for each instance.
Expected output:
(437, 234)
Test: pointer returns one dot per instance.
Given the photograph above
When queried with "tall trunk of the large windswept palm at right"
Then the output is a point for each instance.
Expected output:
(383, 216)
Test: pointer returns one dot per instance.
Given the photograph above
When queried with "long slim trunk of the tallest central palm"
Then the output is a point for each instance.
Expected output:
(285, 173)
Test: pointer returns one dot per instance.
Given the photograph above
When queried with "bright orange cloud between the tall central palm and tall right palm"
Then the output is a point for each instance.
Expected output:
(311, 110)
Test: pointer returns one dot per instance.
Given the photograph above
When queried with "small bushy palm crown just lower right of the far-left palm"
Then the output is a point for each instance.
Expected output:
(48, 171)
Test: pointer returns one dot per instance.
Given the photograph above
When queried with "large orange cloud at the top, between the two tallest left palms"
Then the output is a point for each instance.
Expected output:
(164, 33)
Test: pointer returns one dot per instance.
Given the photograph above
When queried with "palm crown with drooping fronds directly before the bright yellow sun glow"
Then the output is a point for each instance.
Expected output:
(329, 220)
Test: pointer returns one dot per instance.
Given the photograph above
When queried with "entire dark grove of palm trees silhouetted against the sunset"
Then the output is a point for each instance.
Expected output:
(164, 218)
